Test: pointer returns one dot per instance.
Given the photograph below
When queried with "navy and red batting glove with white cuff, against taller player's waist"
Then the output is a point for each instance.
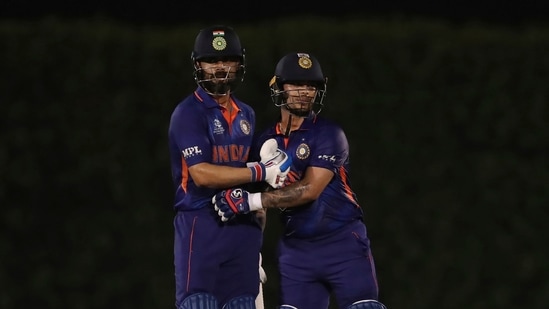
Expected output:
(229, 203)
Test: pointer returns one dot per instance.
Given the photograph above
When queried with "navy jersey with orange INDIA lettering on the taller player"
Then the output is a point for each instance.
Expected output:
(199, 132)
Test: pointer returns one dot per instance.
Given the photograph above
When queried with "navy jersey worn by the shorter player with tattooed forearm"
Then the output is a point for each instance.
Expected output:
(319, 143)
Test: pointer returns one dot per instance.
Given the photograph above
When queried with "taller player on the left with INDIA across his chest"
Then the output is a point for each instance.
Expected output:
(210, 135)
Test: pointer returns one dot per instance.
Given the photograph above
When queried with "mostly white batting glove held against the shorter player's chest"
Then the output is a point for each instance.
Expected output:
(274, 165)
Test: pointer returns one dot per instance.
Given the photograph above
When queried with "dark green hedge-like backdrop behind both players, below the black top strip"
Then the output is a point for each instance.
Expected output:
(447, 126)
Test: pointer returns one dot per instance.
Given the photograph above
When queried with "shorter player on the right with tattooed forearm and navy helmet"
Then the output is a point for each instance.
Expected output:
(325, 248)
